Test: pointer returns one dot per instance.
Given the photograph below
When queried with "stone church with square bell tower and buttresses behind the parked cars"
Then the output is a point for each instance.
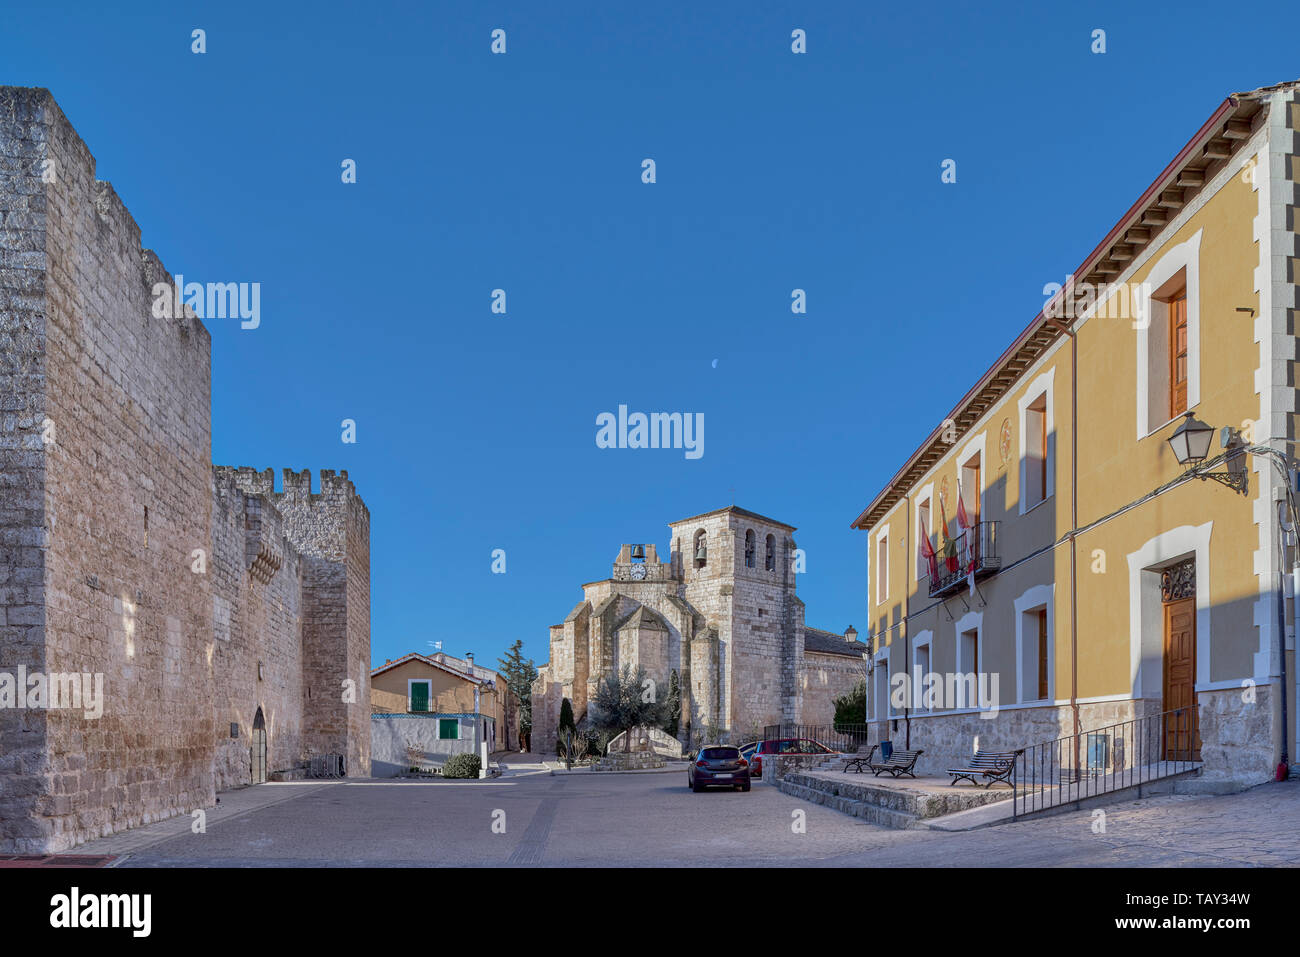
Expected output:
(723, 614)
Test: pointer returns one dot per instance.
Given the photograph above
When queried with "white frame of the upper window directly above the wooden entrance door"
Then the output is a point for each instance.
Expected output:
(1184, 257)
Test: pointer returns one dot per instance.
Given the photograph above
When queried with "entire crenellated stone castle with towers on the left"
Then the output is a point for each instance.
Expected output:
(223, 625)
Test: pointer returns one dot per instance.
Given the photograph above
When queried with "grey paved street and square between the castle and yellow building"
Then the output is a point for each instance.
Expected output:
(655, 820)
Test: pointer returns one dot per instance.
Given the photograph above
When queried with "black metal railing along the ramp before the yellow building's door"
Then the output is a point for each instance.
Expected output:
(1112, 759)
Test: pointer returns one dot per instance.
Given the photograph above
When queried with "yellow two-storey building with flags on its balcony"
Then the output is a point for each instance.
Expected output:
(1100, 582)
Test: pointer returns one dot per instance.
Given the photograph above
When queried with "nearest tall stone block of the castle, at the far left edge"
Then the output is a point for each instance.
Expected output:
(112, 432)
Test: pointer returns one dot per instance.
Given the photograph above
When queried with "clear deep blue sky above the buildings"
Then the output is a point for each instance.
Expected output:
(523, 172)
